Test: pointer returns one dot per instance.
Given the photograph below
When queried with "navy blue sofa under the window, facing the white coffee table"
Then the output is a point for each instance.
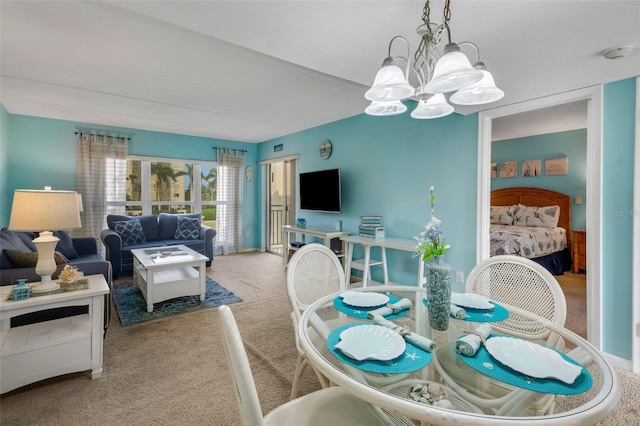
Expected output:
(158, 231)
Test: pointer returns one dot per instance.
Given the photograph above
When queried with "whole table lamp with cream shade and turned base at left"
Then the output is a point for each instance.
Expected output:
(45, 211)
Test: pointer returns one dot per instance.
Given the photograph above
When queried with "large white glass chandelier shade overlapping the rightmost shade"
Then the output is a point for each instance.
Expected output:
(452, 72)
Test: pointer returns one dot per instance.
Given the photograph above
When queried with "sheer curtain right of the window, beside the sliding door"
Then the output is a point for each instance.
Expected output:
(229, 199)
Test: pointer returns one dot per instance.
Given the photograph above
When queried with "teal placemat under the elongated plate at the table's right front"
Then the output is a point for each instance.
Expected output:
(486, 364)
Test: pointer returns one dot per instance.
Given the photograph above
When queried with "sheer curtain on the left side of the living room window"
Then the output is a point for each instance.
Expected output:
(101, 178)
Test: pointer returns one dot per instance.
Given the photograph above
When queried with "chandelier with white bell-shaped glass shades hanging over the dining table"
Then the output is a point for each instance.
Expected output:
(437, 73)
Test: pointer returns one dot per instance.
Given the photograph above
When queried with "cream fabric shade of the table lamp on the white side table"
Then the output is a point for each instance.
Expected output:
(34, 211)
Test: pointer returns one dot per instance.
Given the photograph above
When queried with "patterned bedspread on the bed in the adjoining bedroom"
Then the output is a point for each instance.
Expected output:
(526, 241)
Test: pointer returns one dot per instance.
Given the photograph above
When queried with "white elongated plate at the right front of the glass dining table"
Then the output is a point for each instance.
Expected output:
(532, 359)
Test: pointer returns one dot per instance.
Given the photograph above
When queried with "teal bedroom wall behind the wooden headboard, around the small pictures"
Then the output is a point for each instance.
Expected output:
(572, 144)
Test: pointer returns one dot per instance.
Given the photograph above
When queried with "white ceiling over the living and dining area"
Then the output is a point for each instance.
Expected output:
(252, 71)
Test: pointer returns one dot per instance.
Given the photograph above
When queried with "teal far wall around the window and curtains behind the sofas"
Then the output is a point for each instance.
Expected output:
(43, 152)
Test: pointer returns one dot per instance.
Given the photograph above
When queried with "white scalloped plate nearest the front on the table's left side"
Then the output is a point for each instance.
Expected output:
(371, 341)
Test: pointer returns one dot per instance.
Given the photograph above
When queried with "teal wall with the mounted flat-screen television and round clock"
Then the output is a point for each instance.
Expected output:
(387, 166)
